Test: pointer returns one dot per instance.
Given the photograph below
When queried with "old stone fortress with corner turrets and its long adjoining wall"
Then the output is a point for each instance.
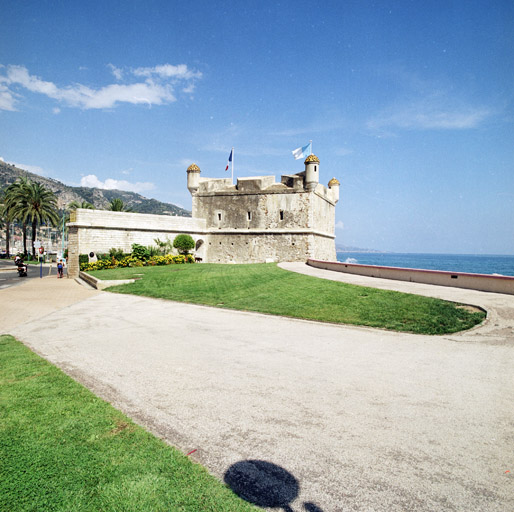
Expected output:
(254, 221)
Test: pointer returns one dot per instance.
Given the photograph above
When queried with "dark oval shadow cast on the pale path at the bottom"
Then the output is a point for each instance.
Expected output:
(265, 484)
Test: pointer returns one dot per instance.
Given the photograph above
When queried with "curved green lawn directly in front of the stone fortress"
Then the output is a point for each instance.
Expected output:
(267, 288)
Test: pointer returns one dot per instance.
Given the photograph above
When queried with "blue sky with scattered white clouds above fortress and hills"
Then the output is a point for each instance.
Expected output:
(408, 104)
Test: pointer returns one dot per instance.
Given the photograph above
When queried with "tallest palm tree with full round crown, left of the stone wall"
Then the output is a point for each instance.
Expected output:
(37, 204)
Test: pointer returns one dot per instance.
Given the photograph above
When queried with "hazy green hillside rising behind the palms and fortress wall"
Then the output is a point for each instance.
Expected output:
(99, 198)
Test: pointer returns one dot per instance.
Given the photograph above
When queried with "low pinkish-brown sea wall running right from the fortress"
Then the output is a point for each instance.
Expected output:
(482, 282)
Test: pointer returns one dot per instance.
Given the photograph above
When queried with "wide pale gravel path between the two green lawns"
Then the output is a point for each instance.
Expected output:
(361, 419)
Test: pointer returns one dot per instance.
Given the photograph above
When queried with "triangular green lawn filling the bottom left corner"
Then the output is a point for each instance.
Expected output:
(62, 448)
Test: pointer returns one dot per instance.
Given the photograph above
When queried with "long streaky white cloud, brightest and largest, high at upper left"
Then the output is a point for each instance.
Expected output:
(157, 89)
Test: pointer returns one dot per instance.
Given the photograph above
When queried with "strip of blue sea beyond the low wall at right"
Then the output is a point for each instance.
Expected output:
(472, 263)
